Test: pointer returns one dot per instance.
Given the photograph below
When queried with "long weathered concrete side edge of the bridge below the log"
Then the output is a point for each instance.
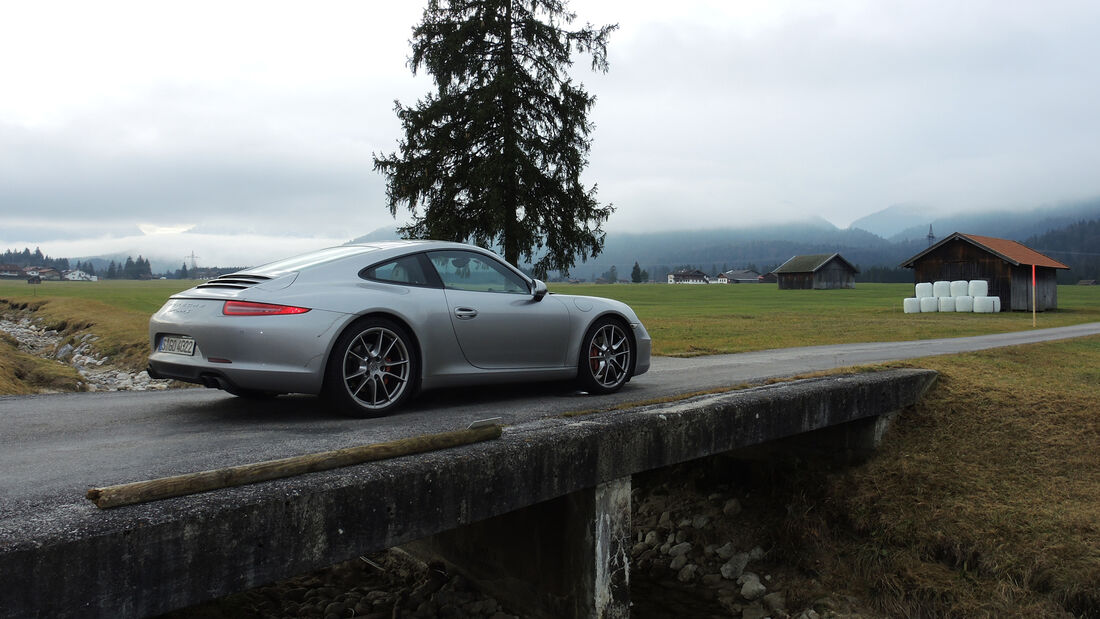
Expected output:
(150, 559)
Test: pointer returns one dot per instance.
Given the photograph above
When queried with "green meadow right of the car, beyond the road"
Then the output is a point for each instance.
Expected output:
(700, 320)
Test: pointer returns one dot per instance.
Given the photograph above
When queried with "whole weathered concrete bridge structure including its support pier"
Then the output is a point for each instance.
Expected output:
(559, 485)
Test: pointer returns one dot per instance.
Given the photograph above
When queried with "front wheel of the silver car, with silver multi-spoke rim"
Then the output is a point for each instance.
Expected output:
(608, 358)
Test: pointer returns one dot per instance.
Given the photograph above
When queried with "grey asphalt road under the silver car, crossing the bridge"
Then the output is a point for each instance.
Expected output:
(56, 447)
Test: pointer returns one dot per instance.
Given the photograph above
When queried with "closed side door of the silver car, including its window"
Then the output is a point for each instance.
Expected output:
(498, 322)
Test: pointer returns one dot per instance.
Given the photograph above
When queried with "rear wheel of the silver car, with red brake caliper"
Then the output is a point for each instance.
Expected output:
(372, 370)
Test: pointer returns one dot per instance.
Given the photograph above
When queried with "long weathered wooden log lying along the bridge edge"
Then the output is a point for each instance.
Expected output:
(192, 483)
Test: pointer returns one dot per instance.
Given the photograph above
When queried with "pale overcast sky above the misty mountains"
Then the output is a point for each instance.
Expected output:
(245, 131)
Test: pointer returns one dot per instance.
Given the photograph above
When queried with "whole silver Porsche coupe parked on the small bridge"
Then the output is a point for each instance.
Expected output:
(368, 326)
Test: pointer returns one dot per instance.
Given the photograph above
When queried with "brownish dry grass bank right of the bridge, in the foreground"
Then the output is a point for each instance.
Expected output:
(985, 500)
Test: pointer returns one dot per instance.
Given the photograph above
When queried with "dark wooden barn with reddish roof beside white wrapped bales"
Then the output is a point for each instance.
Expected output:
(1007, 266)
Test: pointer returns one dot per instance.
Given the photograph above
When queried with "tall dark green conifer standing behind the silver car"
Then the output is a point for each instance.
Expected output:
(496, 154)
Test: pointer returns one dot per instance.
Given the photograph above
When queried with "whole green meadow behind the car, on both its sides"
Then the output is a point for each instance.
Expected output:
(684, 320)
